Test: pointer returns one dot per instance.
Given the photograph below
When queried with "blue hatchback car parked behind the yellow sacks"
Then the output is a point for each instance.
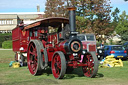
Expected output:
(118, 51)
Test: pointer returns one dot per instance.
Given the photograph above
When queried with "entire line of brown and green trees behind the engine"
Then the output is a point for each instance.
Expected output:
(92, 16)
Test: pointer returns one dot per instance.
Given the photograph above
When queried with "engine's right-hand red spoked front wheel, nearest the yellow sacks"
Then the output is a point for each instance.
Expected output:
(91, 61)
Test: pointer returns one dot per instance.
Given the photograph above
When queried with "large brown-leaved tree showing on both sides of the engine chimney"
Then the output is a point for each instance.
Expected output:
(95, 13)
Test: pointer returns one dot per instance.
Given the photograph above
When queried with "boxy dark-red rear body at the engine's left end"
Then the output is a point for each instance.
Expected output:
(19, 39)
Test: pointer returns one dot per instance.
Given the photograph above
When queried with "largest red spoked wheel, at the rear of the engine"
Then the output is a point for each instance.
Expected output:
(33, 58)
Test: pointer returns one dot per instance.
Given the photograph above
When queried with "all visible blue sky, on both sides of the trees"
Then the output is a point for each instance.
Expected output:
(31, 5)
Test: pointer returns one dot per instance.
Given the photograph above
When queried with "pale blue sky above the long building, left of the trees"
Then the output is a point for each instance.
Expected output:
(21, 5)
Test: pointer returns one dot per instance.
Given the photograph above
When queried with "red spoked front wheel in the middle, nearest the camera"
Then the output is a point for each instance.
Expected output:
(58, 65)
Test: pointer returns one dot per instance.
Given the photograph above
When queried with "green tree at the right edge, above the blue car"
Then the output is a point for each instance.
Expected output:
(122, 27)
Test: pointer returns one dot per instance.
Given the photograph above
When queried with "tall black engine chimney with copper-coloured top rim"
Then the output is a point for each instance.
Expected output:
(72, 20)
